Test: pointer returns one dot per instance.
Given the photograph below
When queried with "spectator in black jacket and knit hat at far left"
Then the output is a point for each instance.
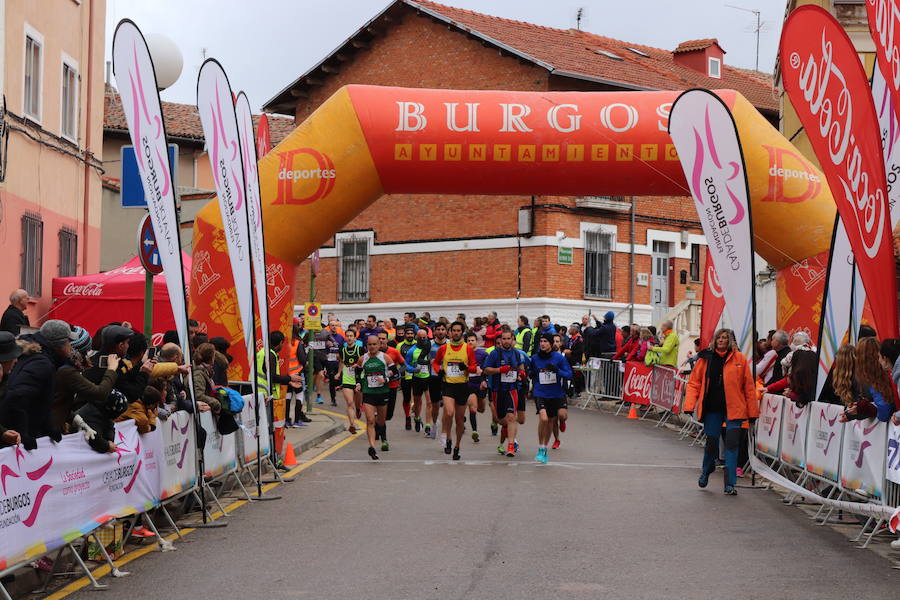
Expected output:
(26, 405)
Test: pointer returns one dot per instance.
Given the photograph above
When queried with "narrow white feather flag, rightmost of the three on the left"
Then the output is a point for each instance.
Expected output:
(254, 213)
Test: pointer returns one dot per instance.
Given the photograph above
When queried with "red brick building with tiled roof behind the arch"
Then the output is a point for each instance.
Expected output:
(471, 254)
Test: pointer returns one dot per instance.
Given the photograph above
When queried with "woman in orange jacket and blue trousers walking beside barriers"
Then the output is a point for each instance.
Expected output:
(722, 391)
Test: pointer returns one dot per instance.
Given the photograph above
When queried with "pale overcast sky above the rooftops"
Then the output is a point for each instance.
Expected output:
(266, 44)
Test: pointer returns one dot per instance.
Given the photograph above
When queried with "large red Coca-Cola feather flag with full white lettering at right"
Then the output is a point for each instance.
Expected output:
(829, 90)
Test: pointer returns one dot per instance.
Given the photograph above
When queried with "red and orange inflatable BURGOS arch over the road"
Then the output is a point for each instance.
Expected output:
(366, 141)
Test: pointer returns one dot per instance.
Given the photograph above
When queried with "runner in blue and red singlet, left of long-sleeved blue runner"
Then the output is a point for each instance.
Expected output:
(506, 369)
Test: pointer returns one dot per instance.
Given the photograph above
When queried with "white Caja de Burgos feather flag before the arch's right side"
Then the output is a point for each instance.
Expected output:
(706, 139)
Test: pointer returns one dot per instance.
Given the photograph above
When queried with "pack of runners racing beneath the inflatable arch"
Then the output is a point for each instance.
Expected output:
(445, 373)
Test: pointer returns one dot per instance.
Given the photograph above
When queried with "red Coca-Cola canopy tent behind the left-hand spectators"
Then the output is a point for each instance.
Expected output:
(92, 301)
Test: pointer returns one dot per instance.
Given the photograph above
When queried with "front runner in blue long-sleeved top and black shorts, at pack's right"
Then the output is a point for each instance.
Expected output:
(548, 369)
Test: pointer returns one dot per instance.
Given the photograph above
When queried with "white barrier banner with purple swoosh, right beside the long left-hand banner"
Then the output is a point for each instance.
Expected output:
(178, 447)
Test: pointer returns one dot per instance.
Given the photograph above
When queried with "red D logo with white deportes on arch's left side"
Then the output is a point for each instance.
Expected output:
(305, 175)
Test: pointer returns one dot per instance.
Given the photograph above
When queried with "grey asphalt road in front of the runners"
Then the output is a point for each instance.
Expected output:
(616, 514)
